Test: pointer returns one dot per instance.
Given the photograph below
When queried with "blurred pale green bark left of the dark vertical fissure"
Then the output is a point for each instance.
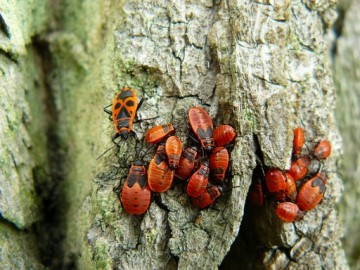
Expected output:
(22, 133)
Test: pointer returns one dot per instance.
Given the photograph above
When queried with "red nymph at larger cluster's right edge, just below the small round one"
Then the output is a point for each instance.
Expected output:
(219, 161)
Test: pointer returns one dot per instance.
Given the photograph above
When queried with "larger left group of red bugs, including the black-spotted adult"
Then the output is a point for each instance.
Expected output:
(202, 165)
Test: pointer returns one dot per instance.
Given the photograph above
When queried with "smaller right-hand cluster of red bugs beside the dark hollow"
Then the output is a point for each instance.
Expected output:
(299, 189)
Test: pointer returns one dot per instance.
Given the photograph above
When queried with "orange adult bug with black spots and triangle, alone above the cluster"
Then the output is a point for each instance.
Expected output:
(123, 112)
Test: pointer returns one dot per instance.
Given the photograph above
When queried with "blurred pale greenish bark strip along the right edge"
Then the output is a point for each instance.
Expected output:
(346, 71)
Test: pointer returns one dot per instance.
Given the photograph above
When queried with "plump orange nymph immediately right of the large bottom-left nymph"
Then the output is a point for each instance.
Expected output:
(160, 177)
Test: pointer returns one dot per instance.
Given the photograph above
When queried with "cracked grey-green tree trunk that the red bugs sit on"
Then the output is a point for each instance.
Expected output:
(260, 66)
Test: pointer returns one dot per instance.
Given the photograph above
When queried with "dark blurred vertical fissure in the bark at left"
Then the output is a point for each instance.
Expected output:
(50, 231)
